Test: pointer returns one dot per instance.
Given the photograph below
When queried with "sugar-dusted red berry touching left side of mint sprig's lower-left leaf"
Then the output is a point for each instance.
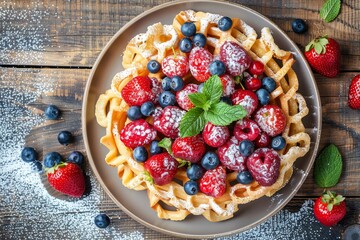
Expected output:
(167, 120)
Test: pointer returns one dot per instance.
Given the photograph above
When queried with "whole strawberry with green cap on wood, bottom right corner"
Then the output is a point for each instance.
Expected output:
(330, 208)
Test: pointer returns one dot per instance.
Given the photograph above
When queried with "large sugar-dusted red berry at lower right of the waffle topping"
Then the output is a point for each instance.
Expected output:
(264, 166)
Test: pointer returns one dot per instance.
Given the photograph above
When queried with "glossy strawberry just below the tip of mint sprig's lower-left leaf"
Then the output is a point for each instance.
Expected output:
(189, 148)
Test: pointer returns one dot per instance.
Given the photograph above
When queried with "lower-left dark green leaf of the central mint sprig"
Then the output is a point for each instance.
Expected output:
(192, 123)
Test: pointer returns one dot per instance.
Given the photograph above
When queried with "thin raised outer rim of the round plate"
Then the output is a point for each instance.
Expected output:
(85, 112)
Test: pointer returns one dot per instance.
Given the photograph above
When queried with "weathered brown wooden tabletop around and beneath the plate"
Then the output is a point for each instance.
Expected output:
(57, 42)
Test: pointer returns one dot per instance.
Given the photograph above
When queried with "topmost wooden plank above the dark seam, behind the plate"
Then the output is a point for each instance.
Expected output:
(72, 33)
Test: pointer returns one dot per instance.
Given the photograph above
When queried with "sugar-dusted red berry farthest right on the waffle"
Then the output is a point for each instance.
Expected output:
(271, 119)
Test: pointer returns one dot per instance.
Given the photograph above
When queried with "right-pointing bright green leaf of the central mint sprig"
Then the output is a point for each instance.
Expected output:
(222, 114)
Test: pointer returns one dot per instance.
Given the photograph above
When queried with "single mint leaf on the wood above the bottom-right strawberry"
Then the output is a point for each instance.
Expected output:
(328, 167)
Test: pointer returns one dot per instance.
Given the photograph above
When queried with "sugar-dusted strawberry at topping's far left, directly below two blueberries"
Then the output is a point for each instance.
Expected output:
(137, 133)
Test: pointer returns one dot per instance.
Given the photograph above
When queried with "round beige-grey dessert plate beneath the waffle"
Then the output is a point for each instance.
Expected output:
(135, 203)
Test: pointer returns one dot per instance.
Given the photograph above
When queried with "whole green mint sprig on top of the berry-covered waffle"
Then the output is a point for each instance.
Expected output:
(208, 108)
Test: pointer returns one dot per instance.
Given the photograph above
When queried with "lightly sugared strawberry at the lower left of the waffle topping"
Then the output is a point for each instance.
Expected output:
(162, 168)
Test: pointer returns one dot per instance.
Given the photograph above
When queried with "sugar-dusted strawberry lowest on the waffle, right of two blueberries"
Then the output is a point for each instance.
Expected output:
(213, 182)
